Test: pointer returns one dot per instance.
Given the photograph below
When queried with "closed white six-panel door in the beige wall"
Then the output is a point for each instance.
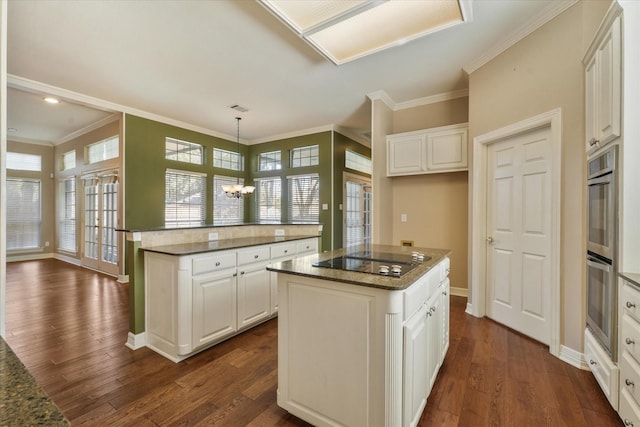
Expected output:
(519, 233)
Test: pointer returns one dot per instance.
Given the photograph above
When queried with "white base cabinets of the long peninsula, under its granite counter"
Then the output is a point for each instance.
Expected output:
(195, 301)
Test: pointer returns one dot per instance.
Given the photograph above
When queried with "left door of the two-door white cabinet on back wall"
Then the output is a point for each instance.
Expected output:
(406, 155)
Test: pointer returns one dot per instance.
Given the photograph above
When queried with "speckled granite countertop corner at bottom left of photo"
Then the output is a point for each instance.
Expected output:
(22, 400)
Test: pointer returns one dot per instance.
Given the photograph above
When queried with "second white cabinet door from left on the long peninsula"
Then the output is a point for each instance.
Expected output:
(254, 293)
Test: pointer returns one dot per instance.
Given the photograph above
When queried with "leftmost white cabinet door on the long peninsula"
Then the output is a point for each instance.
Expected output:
(214, 307)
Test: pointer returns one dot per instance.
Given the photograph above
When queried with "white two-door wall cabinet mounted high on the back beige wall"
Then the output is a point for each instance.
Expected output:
(441, 149)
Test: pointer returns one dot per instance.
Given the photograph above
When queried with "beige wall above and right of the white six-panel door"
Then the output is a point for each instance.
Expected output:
(542, 72)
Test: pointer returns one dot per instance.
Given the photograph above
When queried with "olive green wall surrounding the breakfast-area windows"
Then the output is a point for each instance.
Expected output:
(145, 167)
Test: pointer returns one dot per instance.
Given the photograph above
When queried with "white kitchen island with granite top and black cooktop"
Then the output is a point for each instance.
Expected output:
(360, 348)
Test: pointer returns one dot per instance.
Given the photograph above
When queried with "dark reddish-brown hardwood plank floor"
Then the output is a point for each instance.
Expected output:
(68, 325)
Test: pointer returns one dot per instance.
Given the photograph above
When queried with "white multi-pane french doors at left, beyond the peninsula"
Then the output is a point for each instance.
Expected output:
(101, 248)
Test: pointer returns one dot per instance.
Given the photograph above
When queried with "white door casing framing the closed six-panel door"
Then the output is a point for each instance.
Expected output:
(477, 305)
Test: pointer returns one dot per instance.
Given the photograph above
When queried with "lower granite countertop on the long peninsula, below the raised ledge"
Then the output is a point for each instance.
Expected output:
(221, 245)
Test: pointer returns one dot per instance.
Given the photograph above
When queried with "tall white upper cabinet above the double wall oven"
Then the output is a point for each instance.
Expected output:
(603, 81)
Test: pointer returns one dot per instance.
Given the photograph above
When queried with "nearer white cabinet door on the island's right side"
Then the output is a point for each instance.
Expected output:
(415, 367)
